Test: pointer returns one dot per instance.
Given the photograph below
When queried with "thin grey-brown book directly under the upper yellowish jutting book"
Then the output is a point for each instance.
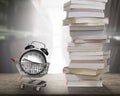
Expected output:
(101, 28)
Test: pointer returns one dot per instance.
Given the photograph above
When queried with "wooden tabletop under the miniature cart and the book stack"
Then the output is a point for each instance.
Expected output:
(56, 84)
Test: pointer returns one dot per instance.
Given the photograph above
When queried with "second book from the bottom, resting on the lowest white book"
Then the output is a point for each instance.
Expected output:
(76, 77)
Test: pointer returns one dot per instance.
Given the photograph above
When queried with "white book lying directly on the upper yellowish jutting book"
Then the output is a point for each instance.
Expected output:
(85, 14)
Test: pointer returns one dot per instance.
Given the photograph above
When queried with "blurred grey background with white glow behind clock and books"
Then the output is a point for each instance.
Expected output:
(22, 21)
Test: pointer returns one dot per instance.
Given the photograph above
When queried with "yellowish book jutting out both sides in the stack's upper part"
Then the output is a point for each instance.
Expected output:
(85, 20)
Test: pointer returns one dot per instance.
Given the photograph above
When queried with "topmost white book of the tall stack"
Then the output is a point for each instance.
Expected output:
(85, 2)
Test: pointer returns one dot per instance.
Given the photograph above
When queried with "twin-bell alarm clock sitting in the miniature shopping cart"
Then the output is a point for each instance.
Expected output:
(33, 62)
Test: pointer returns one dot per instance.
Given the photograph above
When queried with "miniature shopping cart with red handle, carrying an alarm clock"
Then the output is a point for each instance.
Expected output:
(32, 64)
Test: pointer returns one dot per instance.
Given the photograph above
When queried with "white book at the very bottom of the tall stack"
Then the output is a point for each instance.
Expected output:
(85, 84)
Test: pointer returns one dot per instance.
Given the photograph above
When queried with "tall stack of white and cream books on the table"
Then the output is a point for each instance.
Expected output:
(88, 57)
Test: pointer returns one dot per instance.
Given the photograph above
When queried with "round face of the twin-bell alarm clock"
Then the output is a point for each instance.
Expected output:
(33, 62)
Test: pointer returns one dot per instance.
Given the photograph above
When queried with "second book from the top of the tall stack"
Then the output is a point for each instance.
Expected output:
(81, 6)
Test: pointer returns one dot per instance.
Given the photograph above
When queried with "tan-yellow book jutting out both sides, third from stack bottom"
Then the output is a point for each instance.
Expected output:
(84, 71)
